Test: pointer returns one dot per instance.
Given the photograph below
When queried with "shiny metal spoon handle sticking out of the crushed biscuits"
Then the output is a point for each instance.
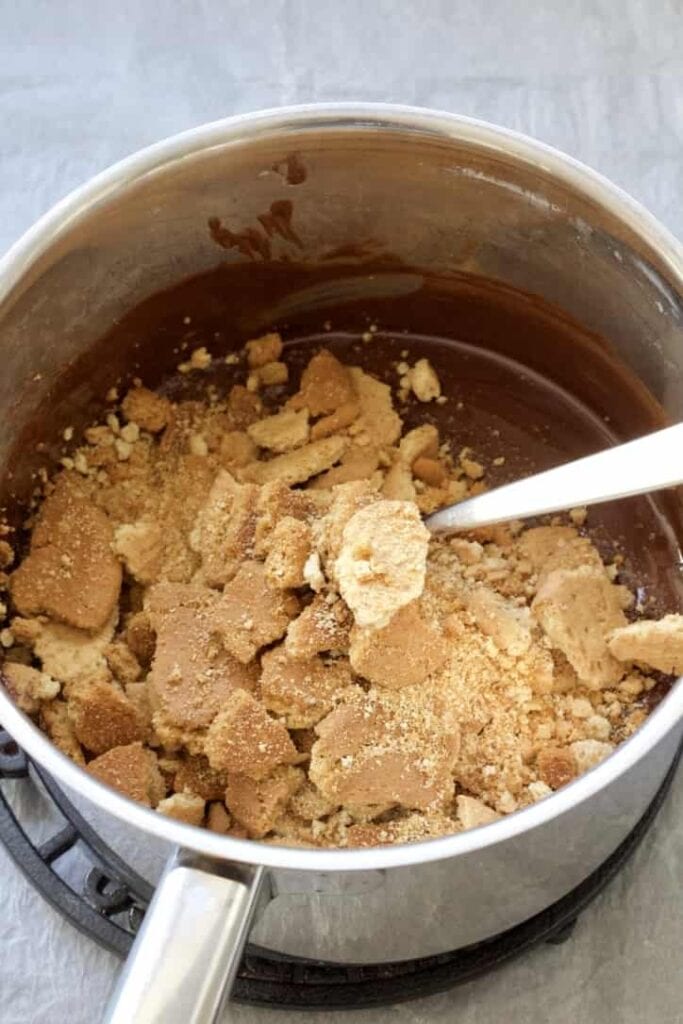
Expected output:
(651, 463)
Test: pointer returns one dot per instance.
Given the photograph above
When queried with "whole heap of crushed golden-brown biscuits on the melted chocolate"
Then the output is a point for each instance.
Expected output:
(242, 583)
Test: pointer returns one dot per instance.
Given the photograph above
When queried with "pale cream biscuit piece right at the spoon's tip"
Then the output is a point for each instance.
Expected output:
(383, 561)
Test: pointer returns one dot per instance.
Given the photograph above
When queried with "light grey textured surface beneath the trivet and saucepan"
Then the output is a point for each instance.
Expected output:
(82, 84)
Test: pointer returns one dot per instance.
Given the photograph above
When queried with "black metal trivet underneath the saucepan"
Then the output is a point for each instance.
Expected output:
(111, 900)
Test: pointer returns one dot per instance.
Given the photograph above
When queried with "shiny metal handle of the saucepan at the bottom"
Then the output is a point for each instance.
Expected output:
(183, 964)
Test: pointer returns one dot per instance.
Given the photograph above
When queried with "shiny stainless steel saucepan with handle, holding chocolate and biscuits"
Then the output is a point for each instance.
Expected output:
(436, 191)
